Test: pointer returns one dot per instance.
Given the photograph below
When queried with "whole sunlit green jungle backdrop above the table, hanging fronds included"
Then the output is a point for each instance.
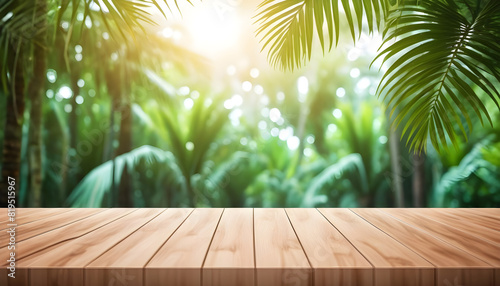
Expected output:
(373, 103)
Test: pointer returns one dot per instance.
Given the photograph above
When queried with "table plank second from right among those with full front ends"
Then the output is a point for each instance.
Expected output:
(394, 264)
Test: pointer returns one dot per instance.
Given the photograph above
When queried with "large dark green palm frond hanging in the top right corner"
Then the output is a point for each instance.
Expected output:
(442, 58)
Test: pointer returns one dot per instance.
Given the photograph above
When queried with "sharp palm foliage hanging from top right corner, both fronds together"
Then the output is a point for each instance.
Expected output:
(442, 53)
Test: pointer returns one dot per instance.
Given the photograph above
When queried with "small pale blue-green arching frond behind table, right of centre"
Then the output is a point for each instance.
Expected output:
(346, 165)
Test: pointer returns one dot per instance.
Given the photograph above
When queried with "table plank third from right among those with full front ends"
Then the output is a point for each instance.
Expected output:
(333, 258)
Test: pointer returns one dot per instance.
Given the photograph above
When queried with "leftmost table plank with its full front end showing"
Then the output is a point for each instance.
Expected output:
(63, 264)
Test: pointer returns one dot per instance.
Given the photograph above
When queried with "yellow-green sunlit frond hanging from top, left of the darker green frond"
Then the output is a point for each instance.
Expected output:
(288, 26)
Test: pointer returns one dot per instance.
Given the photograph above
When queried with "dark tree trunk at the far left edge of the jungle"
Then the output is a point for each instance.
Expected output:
(13, 129)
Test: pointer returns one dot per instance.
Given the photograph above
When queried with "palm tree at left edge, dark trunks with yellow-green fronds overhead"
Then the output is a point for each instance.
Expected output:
(23, 36)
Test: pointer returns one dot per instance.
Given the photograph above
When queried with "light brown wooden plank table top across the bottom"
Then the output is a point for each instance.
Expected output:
(253, 247)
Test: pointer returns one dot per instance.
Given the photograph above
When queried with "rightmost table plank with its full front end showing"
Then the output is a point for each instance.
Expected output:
(452, 264)
